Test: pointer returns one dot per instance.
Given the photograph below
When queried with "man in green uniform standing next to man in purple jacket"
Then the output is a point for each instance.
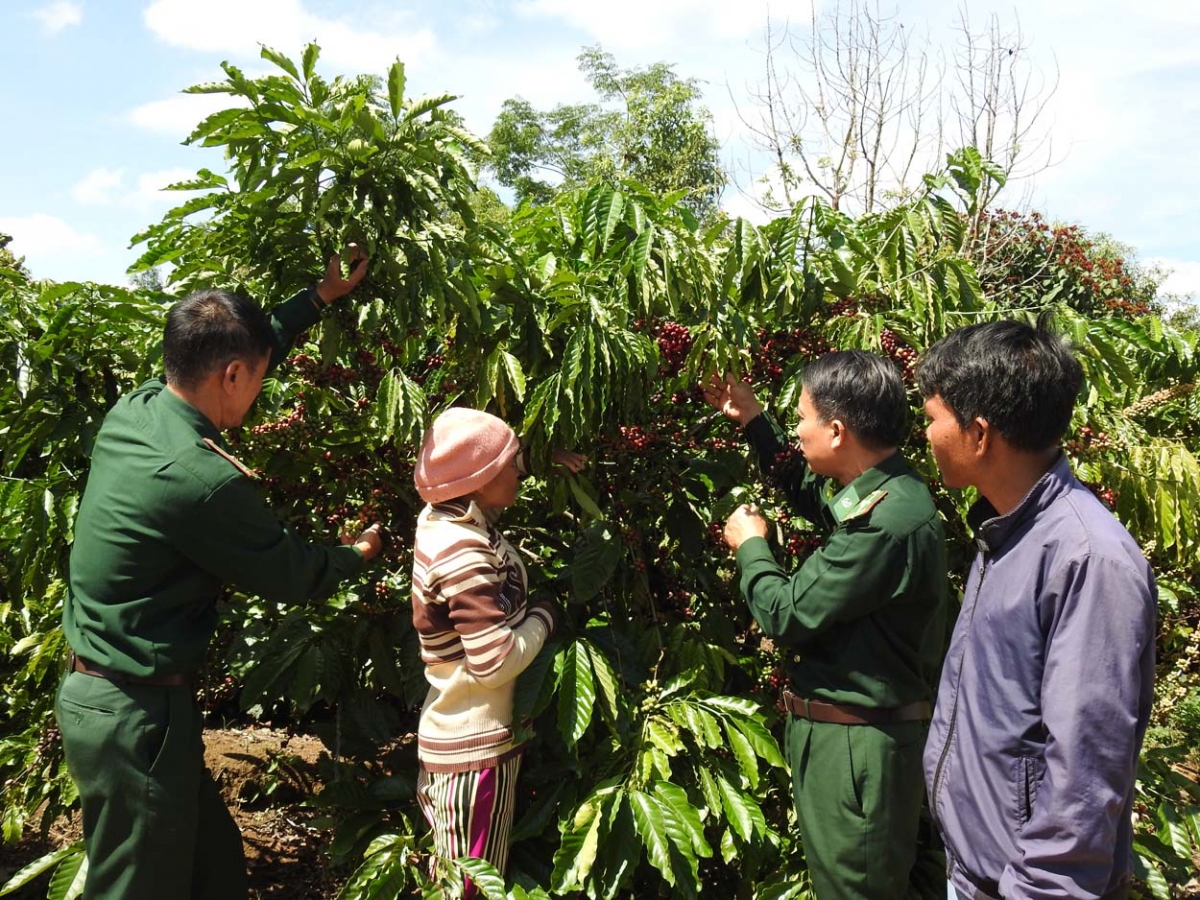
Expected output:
(862, 619)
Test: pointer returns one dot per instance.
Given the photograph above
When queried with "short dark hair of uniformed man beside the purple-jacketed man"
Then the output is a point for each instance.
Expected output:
(865, 392)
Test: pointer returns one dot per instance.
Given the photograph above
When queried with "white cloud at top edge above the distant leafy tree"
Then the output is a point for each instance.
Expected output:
(640, 25)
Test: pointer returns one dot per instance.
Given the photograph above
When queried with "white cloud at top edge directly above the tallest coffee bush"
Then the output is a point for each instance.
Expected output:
(238, 28)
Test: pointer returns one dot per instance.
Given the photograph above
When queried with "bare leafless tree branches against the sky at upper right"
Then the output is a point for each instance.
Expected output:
(859, 107)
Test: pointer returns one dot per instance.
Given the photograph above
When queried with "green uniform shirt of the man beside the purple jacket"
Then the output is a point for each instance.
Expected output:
(863, 616)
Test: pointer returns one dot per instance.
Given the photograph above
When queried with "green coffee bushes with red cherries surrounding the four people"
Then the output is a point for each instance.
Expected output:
(587, 321)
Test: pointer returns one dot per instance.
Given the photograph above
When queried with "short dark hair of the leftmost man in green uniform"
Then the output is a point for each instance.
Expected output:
(211, 329)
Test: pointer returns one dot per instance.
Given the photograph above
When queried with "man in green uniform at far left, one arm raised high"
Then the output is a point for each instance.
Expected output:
(169, 517)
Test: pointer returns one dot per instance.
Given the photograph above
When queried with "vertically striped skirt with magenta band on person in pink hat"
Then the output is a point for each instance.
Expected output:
(471, 813)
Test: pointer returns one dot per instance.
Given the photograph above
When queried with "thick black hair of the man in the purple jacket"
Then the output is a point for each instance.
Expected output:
(1023, 380)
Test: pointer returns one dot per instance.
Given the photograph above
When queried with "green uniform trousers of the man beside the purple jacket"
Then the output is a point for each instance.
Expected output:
(859, 791)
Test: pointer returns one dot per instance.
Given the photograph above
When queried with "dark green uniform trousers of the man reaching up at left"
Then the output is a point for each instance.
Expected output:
(153, 821)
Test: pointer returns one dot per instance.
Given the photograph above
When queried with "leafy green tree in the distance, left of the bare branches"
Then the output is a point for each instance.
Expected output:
(657, 133)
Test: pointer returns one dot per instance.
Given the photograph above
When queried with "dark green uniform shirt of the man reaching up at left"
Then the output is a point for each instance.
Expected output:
(167, 518)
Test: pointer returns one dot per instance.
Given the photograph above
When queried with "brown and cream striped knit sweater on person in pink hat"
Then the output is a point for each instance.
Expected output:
(477, 637)
